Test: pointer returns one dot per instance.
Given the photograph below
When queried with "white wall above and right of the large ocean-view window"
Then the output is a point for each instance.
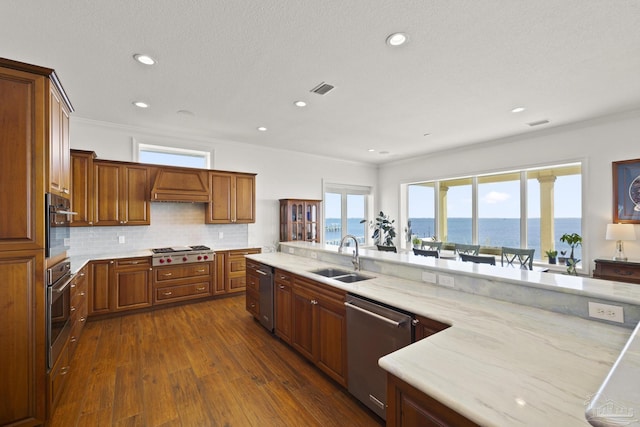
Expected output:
(597, 143)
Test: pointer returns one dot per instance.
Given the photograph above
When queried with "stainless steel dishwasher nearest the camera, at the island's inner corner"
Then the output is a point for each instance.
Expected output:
(373, 330)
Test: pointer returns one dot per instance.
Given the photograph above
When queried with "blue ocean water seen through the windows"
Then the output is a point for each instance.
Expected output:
(495, 232)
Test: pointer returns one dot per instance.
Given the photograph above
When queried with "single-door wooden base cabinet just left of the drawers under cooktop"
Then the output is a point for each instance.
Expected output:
(131, 282)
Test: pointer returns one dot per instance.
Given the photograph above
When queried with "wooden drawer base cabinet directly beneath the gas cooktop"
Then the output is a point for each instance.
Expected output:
(183, 282)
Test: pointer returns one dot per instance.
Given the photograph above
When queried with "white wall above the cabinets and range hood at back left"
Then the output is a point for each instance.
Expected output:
(280, 174)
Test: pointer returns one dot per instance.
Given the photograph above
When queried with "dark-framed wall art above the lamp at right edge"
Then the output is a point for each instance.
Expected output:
(626, 191)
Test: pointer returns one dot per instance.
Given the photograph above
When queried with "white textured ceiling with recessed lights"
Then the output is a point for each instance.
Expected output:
(240, 64)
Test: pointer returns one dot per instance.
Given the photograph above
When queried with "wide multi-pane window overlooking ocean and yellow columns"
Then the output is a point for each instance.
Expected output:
(530, 208)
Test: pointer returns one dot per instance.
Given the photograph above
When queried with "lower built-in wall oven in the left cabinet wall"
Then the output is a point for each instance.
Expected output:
(58, 315)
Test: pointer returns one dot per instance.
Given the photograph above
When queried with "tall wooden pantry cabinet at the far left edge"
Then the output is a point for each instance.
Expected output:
(27, 163)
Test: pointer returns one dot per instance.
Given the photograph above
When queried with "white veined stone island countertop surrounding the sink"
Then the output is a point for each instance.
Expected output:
(500, 363)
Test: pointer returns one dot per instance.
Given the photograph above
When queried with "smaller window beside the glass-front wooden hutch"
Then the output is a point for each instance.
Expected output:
(345, 207)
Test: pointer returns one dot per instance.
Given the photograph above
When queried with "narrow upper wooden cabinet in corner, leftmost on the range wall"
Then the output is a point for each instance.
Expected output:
(82, 200)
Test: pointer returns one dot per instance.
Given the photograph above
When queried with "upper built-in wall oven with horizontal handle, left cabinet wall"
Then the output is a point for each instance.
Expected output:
(57, 220)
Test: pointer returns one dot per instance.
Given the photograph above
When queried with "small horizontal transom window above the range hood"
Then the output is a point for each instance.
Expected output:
(172, 156)
